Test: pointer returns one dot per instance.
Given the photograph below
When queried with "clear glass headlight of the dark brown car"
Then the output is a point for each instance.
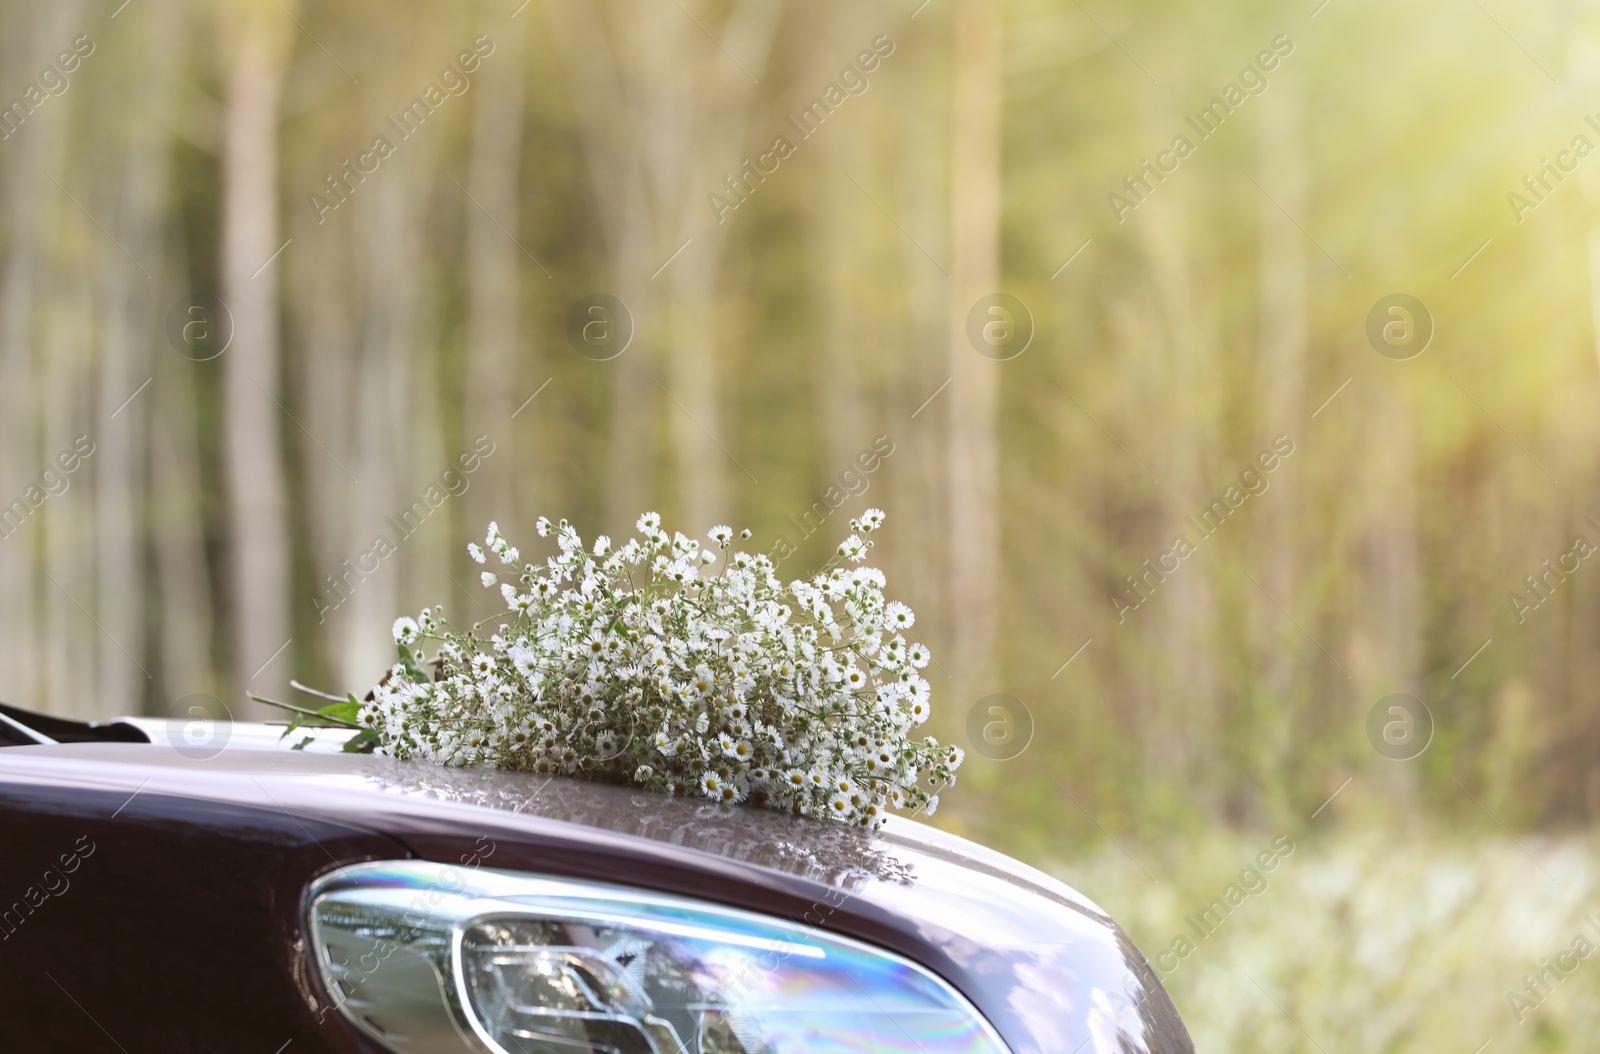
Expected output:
(428, 957)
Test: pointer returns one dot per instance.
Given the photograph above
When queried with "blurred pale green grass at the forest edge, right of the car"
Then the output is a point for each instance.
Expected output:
(1390, 941)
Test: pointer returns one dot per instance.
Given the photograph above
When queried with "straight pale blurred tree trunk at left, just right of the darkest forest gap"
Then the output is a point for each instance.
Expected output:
(257, 493)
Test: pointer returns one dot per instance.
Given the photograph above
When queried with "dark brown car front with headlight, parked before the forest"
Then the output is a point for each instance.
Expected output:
(202, 887)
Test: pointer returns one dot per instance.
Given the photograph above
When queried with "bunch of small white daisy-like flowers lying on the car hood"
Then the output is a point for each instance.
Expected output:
(639, 665)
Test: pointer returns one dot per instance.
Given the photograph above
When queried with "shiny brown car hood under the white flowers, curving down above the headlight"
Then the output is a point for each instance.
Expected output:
(1049, 968)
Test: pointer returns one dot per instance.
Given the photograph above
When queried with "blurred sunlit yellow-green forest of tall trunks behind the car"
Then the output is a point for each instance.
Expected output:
(390, 305)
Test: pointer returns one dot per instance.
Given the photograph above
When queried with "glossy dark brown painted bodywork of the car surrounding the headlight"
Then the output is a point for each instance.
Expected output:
(182, 930)
